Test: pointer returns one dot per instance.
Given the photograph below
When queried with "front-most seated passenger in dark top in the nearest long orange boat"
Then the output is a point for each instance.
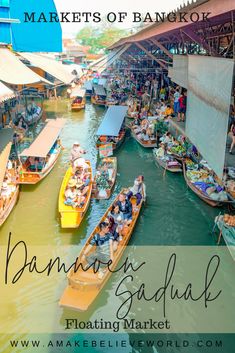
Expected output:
(103, 241)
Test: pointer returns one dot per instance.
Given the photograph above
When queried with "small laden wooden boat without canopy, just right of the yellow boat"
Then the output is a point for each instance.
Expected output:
(111, 163)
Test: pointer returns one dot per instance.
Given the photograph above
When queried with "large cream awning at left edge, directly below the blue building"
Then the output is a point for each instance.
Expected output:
(14, 72)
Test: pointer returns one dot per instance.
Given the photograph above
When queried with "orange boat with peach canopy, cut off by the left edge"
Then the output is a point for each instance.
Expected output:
(9, 188)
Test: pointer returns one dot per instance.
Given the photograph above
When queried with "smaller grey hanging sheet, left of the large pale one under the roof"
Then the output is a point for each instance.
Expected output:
(179, 72)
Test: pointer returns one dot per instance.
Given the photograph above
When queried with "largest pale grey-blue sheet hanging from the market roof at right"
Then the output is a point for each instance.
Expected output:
(209, 95)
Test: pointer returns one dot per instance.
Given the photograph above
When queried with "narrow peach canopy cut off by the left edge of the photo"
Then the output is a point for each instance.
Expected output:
(6, 136)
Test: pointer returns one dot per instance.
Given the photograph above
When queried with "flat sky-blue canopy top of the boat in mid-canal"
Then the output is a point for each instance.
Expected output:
(112, 121)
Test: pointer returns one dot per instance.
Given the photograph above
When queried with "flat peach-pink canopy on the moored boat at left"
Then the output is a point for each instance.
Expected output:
(45, 140)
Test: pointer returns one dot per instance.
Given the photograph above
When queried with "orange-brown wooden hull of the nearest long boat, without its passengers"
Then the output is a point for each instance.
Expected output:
(84, 286)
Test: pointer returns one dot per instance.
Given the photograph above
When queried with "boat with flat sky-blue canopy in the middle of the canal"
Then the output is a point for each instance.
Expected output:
(111, 130)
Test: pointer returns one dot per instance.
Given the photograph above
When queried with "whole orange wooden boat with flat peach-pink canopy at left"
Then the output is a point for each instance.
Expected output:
(39, 159)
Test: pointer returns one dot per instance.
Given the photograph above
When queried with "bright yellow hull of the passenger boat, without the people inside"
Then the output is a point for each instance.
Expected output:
(72, 217)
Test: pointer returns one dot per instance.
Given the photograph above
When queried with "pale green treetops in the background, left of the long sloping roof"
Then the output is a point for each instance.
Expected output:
(99, 39)
